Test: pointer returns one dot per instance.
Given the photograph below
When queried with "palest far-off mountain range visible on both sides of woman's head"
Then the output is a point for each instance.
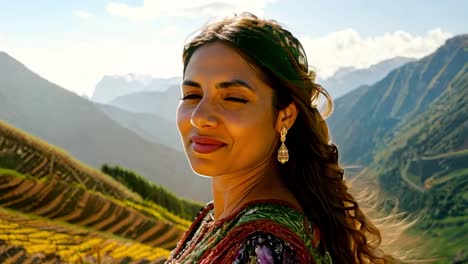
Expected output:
(146, 100)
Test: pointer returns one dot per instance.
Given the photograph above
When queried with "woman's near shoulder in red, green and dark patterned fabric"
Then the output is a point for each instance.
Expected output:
(271, 232)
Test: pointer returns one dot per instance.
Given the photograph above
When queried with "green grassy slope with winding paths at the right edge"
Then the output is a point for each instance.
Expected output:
(431, 153)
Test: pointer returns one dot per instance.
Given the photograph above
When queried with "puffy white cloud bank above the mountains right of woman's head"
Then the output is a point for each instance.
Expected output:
(347, 48)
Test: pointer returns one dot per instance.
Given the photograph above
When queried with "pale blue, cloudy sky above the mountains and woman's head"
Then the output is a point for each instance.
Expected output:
(75, 43)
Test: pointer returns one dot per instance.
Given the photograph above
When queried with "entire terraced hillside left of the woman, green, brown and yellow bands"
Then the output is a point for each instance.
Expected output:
(54, 209)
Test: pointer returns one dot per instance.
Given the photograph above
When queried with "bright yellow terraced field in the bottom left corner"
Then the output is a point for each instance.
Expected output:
(34, 240)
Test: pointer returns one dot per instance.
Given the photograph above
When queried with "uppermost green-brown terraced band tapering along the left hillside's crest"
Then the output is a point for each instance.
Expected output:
(29, 155)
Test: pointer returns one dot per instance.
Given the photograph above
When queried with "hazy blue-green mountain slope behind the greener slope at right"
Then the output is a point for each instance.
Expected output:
(362, 118)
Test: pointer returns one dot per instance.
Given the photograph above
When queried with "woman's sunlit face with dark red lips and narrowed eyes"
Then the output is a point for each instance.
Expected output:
(226, 118)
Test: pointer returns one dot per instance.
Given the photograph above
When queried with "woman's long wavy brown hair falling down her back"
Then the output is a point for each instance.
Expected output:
(312, 173)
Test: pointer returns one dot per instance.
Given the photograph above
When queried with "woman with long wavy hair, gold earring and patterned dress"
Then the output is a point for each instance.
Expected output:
(248, 119)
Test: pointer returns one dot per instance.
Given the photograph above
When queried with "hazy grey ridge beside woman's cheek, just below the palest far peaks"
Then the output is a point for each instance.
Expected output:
(159, 103)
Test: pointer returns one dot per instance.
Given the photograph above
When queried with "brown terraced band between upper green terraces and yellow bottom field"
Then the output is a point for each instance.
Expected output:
(62, 201)
